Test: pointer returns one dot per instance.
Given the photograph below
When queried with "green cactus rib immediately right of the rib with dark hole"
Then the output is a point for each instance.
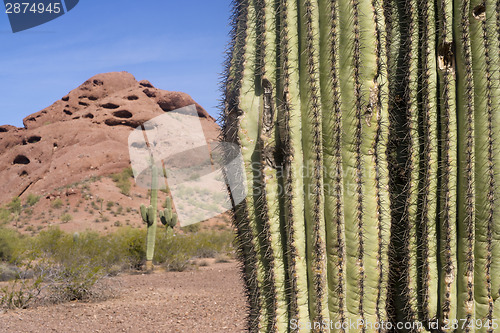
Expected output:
(465, 198)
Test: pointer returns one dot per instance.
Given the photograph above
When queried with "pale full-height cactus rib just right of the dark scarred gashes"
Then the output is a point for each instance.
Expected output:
(290, 118)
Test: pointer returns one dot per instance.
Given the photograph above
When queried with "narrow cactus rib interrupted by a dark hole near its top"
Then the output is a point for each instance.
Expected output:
(447, 176)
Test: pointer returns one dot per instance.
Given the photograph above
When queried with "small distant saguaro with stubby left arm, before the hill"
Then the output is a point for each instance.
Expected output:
(148, 215)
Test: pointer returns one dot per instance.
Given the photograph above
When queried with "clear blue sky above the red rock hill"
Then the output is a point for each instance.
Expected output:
(176, 45)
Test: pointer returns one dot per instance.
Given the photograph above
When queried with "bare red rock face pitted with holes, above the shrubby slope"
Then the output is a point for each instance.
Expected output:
(84, 134)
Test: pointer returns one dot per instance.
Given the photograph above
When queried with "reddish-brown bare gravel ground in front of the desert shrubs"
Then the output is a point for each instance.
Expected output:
(209, 299)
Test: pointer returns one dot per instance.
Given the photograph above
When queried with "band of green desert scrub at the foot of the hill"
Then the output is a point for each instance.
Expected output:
(55, 266)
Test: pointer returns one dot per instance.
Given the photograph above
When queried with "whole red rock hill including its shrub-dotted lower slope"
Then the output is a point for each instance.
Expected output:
(67, 150)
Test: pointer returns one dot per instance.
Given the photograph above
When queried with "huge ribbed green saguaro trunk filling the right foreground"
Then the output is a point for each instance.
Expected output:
(369, 131)
